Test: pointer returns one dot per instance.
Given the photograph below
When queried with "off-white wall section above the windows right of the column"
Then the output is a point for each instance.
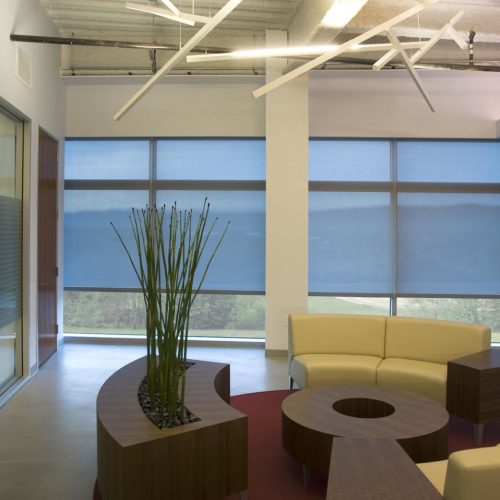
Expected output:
(388, 104)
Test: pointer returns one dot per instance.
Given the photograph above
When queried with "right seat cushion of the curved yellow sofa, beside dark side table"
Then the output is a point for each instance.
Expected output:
(422, 377)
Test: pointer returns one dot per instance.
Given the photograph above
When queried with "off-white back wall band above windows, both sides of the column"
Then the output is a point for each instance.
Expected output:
(341, 104)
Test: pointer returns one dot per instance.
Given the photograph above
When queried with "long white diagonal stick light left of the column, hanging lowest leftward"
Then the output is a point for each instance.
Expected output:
(195, 39)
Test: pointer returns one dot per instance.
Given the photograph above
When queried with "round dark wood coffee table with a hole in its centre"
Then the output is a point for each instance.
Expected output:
(312, 417)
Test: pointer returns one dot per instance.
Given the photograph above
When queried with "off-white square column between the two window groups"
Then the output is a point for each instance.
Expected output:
(287, 136)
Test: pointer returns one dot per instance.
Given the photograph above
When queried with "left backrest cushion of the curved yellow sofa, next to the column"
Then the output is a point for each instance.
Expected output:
(336, 334)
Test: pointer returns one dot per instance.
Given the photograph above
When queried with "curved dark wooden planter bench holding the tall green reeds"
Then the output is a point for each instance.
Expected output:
(201, 460)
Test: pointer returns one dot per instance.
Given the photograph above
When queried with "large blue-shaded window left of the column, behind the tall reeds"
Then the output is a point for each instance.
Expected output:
(106, 178)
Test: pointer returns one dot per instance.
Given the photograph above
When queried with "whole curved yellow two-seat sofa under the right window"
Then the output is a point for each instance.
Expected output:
(403, 353)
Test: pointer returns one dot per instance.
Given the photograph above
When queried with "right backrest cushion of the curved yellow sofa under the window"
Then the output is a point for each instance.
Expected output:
(433, 340)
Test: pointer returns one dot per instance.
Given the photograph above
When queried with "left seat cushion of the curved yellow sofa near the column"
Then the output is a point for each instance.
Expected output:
(309, 370)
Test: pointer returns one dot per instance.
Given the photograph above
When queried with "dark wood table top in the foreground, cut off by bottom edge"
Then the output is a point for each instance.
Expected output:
(375, 469)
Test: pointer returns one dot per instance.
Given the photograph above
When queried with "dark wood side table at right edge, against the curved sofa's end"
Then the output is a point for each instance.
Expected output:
(473, 389)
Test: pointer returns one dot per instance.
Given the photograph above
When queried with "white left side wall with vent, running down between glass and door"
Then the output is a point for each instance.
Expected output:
(42, 106)
